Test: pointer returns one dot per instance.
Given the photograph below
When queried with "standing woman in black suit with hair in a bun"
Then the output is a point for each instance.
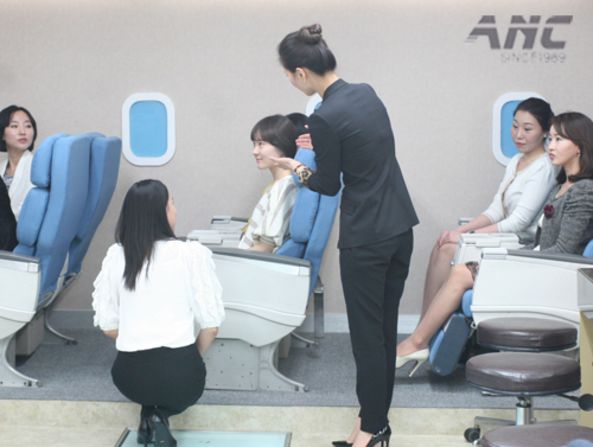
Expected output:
(352, 137)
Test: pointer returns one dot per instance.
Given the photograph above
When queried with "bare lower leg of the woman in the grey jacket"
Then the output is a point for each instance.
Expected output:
(445, 302)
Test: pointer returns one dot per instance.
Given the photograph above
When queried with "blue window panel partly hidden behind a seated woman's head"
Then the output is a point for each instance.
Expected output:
(503, 146)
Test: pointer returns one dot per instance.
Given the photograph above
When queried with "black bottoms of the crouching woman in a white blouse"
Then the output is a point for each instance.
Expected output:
(163, 380)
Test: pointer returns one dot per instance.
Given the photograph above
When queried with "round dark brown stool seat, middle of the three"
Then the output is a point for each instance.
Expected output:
(523, 373)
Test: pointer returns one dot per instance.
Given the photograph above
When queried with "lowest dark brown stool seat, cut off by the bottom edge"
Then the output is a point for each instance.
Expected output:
(542, 435)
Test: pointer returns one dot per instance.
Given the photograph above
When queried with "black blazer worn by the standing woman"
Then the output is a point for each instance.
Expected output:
(352, 135)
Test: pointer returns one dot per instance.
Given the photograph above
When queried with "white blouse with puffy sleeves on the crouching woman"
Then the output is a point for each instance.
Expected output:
(179, 295)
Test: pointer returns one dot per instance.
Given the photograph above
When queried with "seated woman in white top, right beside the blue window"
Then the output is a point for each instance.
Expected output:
(528, 179)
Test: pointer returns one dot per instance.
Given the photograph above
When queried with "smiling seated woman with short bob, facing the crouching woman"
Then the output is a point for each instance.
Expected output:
(267, 228)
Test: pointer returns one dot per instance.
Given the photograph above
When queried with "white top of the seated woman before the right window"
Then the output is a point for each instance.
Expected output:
(521, 196)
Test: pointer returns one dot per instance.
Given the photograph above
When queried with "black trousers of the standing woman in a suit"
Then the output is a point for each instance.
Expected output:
(373, 278)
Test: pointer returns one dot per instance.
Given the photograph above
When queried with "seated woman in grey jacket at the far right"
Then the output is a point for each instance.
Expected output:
(566, 226)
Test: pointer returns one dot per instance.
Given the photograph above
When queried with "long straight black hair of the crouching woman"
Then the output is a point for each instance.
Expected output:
(142, 222)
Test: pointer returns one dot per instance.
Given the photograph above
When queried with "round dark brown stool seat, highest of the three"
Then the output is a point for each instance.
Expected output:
(526, 334)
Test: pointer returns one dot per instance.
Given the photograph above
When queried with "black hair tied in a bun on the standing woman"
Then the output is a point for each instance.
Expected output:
(306, 48)
